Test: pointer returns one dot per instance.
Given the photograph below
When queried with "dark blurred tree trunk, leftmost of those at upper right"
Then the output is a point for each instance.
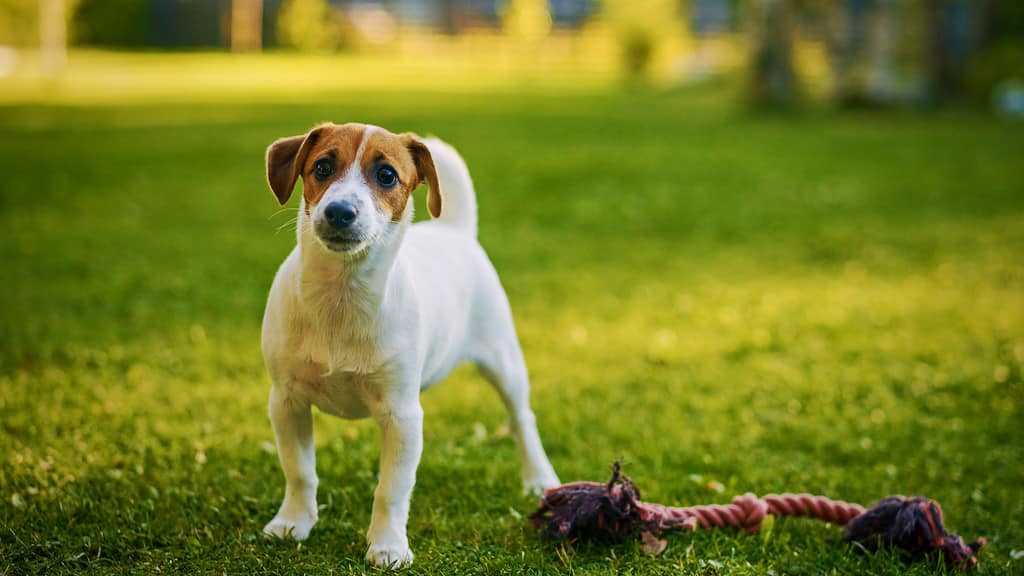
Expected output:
(774, 80)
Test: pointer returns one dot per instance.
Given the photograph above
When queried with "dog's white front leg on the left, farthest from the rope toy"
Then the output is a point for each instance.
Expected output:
(293, 429)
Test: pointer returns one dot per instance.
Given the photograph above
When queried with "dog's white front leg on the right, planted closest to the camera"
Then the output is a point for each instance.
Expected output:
(401, 422)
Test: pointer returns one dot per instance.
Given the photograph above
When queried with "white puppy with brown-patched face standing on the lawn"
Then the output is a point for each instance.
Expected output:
(369, 310)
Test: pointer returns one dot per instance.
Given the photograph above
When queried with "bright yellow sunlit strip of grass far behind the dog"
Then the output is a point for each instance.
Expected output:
(475, 66)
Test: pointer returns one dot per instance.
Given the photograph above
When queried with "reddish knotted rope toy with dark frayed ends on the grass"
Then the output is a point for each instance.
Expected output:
(588, 511)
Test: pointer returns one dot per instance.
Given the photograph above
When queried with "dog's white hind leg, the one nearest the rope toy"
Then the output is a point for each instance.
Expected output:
(505, 369)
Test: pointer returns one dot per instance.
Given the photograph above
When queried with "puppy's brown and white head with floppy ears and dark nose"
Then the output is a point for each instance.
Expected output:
(356, 180)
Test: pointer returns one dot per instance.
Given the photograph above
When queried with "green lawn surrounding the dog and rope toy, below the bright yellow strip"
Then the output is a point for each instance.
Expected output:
(824, 303)
